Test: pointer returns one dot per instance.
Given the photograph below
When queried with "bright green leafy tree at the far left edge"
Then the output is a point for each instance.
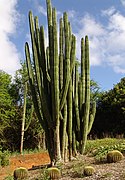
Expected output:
(7, 109)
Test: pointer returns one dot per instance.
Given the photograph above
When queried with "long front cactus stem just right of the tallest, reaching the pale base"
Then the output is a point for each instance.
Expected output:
(55, 84)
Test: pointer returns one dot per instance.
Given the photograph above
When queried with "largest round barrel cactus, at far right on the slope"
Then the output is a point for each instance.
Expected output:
(114, 156)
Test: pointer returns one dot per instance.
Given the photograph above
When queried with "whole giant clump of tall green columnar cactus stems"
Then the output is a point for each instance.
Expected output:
(61, 98)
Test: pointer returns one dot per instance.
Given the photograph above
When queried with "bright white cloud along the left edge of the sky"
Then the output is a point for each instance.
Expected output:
(9, 57)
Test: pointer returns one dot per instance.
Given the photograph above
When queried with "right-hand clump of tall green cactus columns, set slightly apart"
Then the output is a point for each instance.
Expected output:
(84, 109)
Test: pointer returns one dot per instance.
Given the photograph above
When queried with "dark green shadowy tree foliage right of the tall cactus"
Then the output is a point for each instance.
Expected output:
(110, 116)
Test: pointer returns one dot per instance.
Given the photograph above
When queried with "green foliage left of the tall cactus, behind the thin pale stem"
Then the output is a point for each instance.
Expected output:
(11, 96)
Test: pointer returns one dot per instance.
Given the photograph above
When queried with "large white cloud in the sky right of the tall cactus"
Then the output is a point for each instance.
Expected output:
(107, 42)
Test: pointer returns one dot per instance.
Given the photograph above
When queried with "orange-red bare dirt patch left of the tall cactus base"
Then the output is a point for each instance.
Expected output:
(27, 160)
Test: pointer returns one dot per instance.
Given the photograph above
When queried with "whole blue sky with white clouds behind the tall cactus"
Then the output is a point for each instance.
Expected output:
(103, 21)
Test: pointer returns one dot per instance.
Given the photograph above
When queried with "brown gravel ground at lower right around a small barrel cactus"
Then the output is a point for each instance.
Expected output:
(106, 171)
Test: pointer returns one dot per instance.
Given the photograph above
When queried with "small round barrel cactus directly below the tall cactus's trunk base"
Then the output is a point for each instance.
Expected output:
(54, 173)
